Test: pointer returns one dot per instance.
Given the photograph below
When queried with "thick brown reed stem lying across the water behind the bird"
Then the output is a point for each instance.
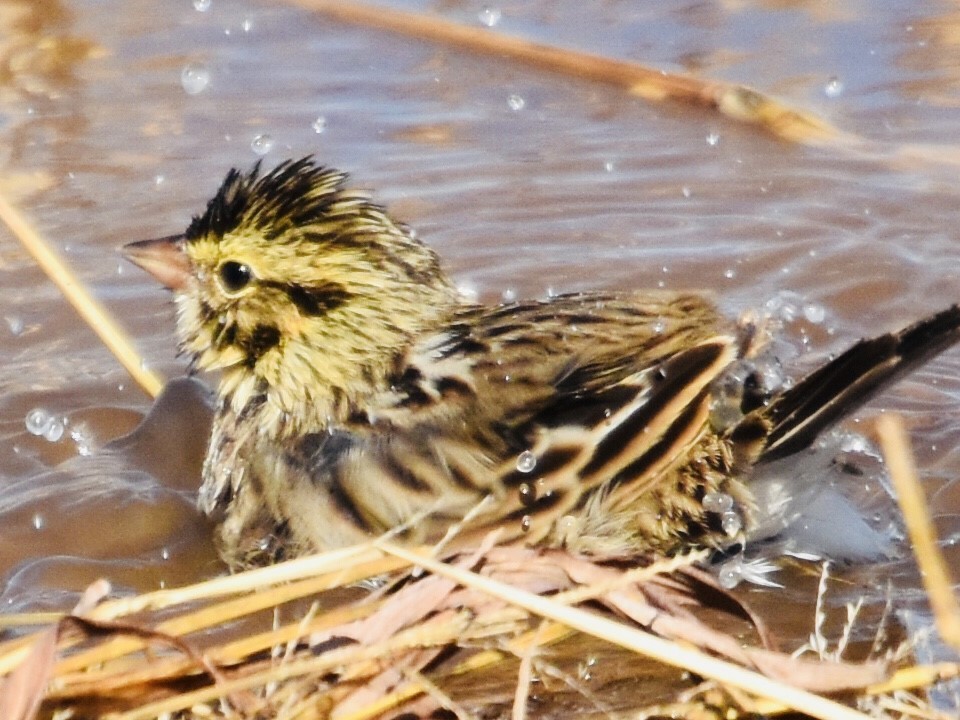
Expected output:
(735, 101)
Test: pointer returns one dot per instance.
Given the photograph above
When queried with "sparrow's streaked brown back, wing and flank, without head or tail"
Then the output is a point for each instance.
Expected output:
(537, 418)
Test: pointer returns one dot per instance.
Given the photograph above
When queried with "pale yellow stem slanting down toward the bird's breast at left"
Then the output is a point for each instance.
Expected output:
(88, 307)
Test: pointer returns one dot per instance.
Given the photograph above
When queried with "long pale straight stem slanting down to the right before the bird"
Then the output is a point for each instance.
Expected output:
(631, 638)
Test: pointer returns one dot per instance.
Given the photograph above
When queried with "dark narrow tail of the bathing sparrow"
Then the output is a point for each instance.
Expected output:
(794, 419)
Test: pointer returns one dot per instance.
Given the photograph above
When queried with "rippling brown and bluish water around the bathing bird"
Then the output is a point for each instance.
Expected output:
(526, 182)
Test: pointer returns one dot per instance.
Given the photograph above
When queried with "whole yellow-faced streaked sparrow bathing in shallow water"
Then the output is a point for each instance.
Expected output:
(359, 394)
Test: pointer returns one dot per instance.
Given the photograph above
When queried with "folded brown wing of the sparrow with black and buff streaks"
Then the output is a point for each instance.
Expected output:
(535, 406)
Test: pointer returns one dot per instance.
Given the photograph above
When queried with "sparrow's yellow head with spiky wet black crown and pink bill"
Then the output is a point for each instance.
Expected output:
(300, 291)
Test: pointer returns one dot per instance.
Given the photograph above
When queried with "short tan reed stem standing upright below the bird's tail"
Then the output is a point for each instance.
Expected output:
(923, 537)
